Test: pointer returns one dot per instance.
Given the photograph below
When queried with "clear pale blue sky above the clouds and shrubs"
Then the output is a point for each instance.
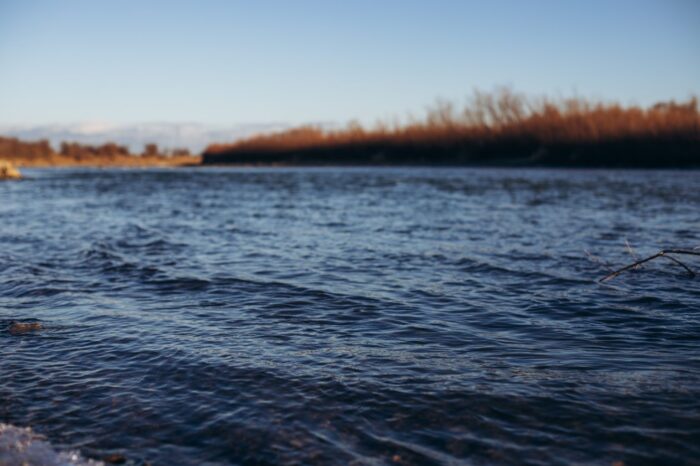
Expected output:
(296, 61)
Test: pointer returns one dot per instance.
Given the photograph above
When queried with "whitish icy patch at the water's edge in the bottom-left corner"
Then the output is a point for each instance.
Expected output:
(21, 446)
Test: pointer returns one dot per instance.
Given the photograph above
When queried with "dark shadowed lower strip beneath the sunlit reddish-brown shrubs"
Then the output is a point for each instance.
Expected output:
(612, 154)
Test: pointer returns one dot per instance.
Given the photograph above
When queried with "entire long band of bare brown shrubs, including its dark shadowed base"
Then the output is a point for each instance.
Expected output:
(497, 129)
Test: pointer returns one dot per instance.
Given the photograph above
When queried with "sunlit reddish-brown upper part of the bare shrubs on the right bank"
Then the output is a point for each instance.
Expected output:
(502, 116)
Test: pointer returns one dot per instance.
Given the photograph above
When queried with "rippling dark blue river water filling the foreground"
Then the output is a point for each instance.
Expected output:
(352, 316)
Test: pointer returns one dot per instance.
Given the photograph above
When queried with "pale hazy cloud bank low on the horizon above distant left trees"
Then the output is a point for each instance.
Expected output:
(192, 136)
